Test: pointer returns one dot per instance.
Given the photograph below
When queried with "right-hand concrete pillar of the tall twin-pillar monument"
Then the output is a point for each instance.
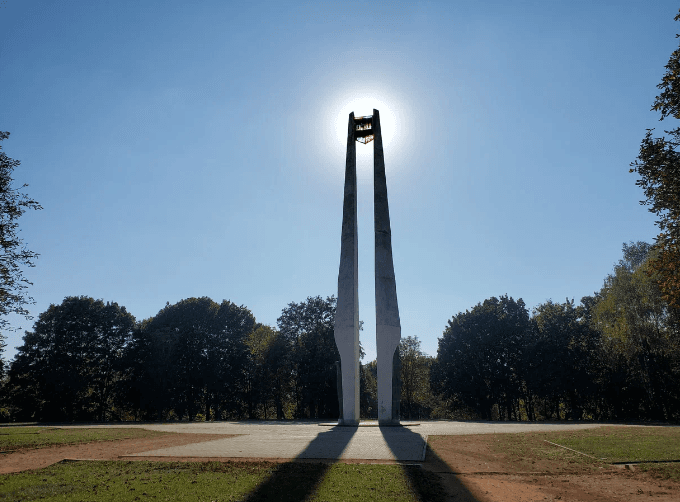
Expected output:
(388, 326)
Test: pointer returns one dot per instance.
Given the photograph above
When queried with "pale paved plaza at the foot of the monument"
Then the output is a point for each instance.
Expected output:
(316, 440)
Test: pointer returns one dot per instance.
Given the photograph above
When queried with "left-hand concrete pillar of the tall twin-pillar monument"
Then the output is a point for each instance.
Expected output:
(347, 309)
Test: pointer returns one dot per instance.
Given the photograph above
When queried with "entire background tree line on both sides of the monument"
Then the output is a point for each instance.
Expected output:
(614, 356)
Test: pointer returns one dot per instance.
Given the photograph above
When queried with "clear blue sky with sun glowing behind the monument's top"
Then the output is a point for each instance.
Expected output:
(187, 149)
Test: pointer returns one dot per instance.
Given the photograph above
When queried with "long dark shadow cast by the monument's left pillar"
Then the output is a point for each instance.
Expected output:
(298, 479)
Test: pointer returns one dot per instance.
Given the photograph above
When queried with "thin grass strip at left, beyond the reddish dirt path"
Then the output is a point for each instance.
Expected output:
(16, 438)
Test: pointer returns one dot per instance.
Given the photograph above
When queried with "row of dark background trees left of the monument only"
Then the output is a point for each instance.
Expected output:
(196, 359)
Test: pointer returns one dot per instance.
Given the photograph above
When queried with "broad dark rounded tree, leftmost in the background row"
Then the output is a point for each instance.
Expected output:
(69, 365)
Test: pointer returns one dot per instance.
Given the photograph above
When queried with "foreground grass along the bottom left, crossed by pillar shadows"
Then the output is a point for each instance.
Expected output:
(215, 481)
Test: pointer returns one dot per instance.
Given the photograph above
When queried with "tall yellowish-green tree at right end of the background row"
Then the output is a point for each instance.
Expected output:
(641, 346)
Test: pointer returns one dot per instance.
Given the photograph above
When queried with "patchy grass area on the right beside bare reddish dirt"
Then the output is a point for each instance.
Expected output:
(608, 445)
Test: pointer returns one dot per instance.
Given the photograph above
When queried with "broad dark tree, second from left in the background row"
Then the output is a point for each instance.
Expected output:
(192, 358)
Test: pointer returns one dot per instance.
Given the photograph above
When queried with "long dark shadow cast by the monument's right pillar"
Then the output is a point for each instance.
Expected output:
(431, 478)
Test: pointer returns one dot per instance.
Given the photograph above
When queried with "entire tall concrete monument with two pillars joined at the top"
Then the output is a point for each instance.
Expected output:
(388, 327)
